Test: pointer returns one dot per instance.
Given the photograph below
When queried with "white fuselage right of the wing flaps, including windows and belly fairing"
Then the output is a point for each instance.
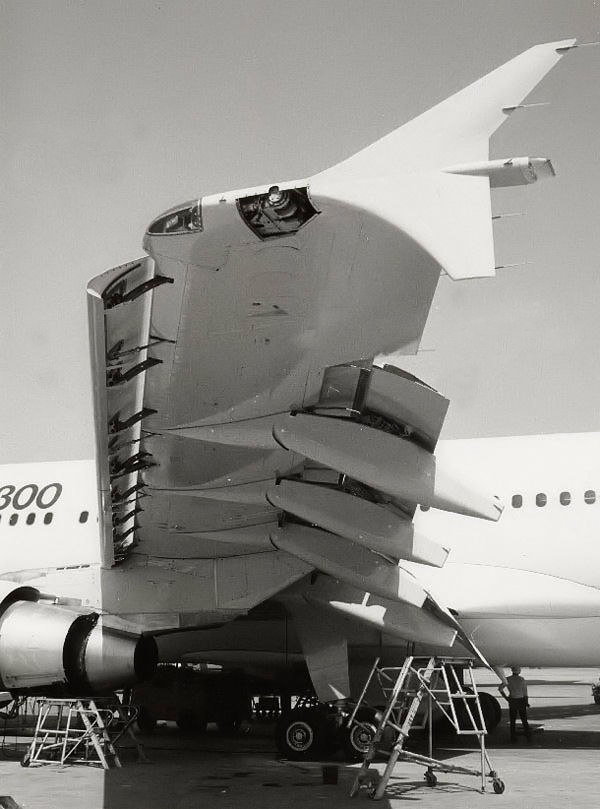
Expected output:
(527, 589)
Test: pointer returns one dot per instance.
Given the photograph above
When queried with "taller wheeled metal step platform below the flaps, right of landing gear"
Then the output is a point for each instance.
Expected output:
(436, 681)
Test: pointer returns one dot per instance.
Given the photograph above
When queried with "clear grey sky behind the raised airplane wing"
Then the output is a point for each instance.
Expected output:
(115, 111)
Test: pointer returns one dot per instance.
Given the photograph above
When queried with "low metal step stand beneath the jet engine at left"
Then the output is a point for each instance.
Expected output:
(82, 731)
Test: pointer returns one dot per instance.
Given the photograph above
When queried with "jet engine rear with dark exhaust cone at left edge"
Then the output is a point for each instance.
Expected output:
(46, 647)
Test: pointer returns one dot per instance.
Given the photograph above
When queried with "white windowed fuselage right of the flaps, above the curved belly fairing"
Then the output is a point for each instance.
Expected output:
(550, 486)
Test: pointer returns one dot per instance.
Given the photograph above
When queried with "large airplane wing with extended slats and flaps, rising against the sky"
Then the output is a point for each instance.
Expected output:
(244, 435)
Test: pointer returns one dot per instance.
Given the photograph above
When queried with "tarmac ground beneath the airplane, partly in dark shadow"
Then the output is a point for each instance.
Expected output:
(561, 767)
